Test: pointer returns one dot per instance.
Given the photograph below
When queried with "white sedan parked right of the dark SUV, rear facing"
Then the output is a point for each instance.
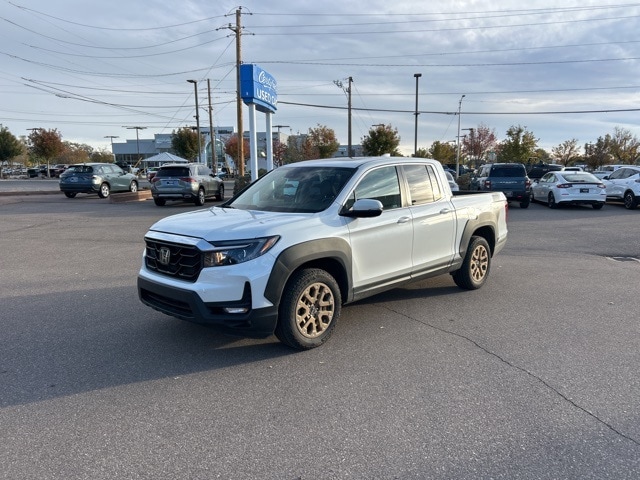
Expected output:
(569, 187)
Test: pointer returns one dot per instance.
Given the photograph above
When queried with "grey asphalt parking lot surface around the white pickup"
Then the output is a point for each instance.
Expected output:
(534, 376)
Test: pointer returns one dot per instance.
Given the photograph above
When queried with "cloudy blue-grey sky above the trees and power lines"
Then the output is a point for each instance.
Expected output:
(93, 70)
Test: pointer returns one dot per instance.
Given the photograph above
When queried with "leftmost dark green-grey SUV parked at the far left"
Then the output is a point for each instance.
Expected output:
(100, 178)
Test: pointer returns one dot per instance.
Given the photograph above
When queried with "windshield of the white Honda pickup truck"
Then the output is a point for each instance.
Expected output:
(297, 189)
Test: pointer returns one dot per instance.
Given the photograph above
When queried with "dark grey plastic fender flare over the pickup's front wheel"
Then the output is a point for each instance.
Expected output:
(332, 255)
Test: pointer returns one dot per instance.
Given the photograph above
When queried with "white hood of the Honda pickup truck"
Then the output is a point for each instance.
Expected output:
(228, 223)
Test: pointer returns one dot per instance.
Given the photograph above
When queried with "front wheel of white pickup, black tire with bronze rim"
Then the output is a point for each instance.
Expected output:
(309, 309)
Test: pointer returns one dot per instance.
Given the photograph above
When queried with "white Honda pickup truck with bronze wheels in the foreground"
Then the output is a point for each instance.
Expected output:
(288, 251)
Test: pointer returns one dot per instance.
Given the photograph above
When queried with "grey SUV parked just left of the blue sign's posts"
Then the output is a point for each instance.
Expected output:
(192, 182)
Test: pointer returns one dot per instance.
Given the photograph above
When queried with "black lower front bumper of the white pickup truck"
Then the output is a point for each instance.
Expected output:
(187, 305)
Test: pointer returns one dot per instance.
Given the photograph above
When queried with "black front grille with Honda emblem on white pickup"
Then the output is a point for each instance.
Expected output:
(178, 261)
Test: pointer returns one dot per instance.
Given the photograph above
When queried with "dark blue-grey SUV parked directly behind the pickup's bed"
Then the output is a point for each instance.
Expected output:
(508, 178)
